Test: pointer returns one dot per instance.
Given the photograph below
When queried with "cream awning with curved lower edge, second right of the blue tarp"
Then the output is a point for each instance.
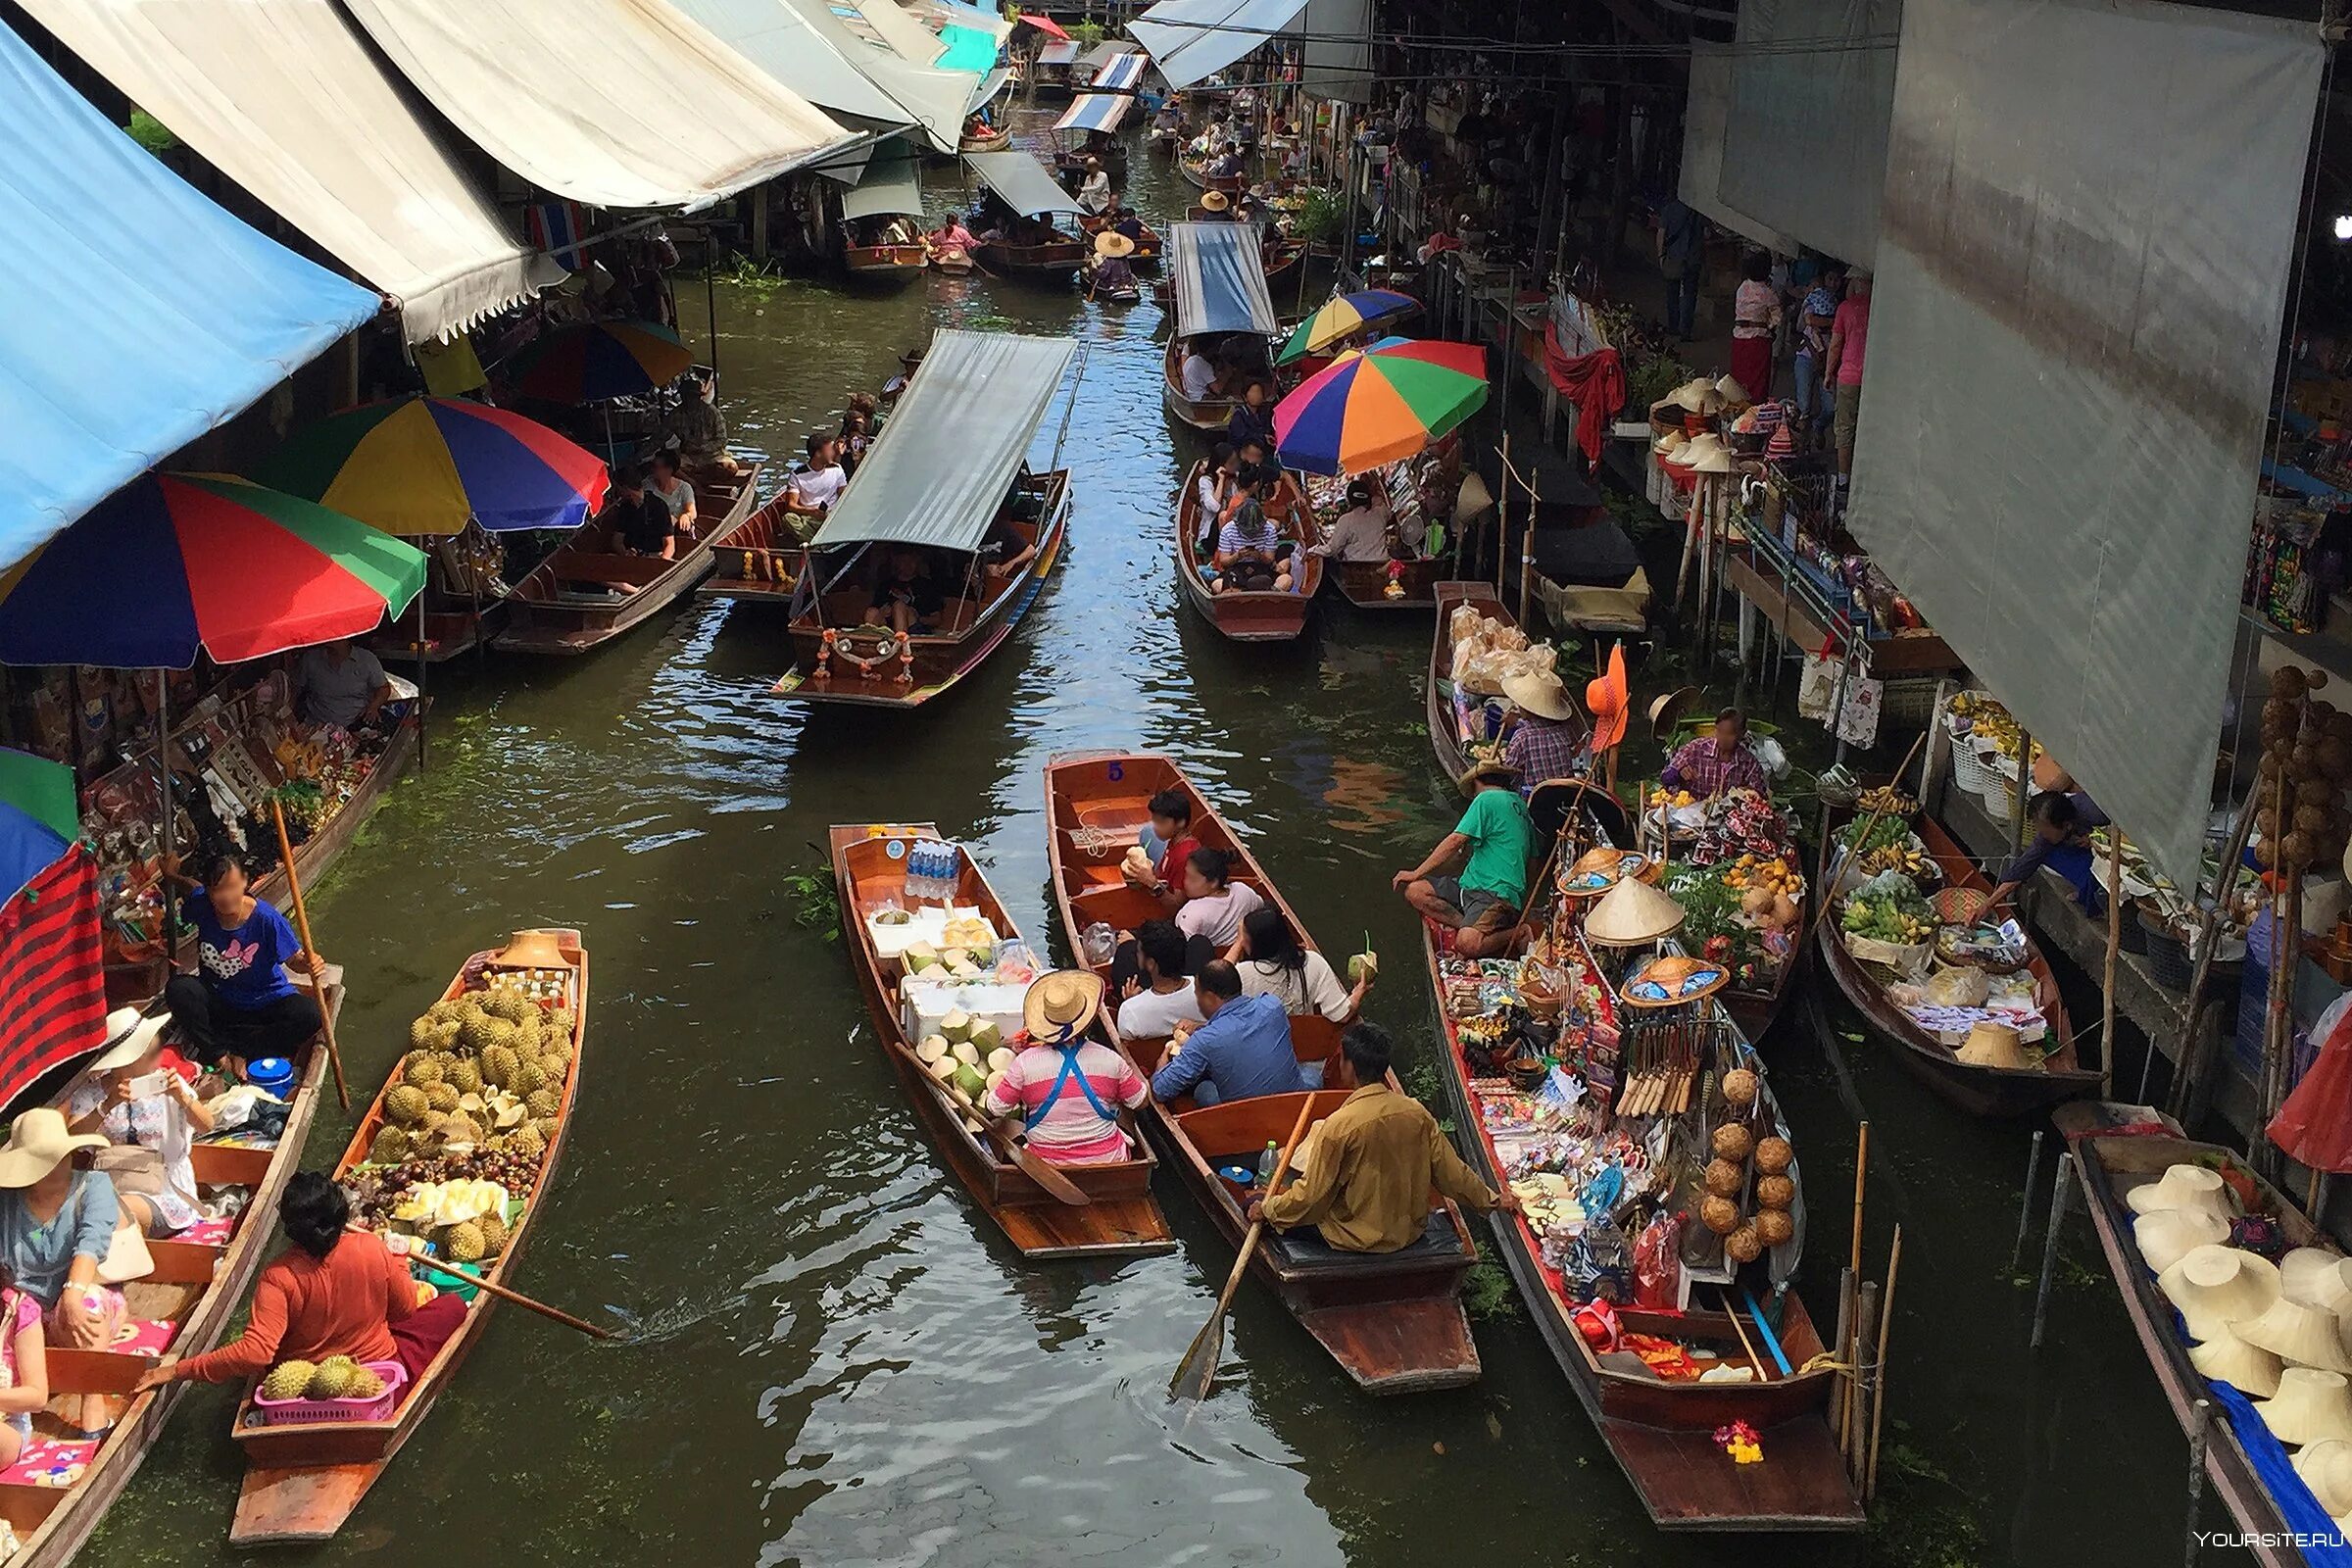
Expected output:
(624, 105)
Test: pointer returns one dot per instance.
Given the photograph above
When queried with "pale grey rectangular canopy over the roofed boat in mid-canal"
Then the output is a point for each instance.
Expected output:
(954, 445)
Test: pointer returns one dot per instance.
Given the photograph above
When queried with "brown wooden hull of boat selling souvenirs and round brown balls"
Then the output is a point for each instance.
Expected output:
(1664, 1430)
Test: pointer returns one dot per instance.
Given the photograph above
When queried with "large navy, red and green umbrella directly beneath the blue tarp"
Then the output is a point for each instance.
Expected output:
(178, 565)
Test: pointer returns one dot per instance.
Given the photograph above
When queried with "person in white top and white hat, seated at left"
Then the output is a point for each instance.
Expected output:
(149, 1115)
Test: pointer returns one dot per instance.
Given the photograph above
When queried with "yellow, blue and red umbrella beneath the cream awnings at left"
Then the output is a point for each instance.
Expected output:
(427, 464)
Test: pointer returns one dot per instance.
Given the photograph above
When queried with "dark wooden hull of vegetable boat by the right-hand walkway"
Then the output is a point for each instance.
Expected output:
(1982, 1092)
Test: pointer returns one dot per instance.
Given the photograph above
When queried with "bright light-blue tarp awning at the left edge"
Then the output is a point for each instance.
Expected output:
(140, 316)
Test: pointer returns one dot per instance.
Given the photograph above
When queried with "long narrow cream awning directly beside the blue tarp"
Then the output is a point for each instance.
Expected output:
(286, 100)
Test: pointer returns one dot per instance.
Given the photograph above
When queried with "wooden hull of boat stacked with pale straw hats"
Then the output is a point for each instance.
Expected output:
(2113, 1167)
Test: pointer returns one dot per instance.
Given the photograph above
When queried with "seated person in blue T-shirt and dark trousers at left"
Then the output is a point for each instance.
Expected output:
(239, 1005)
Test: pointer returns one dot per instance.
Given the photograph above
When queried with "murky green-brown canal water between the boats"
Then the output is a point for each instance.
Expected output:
(831, 1358)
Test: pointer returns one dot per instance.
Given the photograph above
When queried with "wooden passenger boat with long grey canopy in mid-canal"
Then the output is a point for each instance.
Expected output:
(947, 464)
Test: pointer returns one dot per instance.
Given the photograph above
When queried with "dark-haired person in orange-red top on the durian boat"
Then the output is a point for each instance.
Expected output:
(338, 1292)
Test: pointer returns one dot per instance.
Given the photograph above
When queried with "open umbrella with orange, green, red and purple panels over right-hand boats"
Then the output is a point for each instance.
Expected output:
(1379, 406)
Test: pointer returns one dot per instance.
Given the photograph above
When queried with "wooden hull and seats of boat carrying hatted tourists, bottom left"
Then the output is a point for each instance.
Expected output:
(196, 1289)
